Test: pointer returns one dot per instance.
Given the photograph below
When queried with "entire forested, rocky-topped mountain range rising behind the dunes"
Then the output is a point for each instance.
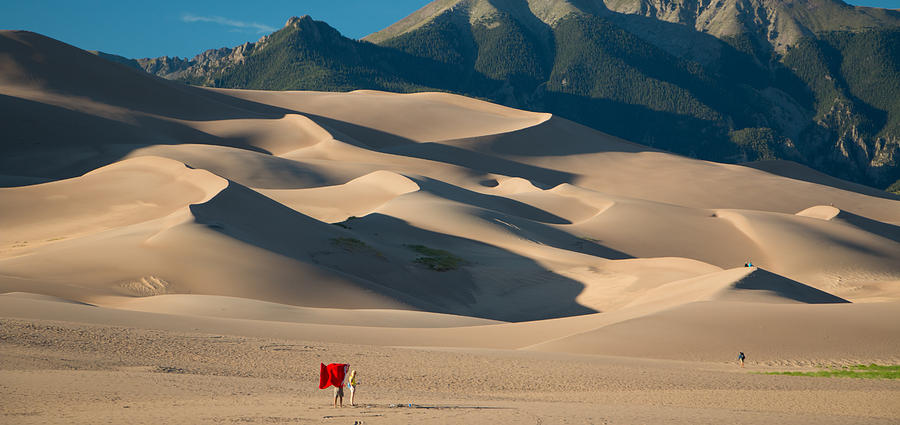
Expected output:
(813, 81)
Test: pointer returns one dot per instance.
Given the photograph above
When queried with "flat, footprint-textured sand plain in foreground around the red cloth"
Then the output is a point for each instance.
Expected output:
(60, 372)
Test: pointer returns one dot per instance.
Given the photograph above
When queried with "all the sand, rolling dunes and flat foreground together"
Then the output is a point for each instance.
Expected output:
(193, 253)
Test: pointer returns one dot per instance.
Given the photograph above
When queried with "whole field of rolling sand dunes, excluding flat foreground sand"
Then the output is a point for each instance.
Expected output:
(427, 220)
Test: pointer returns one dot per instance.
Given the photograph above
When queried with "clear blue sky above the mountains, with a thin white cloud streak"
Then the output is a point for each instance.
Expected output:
(184, 28)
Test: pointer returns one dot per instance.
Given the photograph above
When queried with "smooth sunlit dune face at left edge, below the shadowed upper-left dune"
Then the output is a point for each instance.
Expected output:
(118, 195)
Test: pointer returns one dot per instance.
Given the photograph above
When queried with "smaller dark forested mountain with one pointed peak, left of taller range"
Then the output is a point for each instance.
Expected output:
(307, 55)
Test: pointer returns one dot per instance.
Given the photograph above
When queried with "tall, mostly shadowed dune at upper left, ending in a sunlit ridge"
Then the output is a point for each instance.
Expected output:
(67, 111)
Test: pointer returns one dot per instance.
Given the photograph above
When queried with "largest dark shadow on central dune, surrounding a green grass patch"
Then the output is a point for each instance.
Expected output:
(382, 262)
